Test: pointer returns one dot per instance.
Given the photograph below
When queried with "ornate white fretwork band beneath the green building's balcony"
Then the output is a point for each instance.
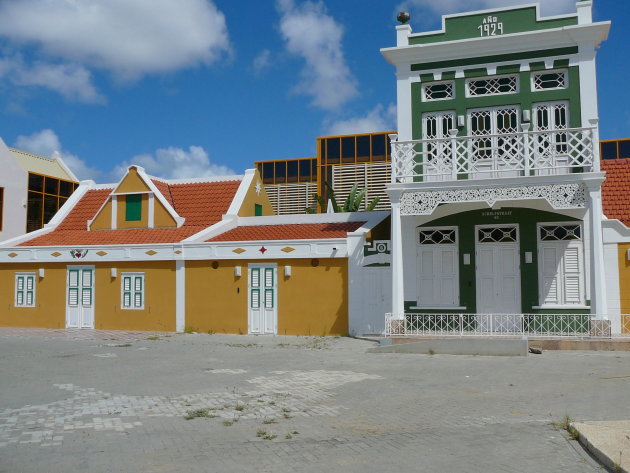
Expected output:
(560, 196)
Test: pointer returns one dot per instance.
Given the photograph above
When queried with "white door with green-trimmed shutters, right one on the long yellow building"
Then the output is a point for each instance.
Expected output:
(263, 298)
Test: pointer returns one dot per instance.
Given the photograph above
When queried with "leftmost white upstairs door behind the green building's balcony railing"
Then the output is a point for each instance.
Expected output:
(436, 162)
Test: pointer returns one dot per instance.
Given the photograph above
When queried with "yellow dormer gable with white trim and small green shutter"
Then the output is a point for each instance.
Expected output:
(137, 202)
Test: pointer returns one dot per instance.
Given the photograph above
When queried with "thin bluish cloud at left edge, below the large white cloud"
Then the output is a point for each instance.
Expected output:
(72, 81)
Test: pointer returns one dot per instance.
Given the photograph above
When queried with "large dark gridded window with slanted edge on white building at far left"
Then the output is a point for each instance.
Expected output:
(46, 195)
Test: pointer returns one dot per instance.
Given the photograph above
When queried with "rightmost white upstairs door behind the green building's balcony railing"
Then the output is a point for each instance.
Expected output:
(550, 152)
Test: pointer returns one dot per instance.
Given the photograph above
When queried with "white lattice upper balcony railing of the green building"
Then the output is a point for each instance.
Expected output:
(527, 153)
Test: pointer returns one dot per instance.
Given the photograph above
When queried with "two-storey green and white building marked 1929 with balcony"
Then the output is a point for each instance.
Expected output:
(496, 181)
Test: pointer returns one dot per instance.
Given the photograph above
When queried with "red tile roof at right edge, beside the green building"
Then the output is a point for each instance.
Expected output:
(616, 189)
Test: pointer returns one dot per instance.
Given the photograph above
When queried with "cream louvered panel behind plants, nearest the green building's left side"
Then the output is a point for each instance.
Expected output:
(370, 176)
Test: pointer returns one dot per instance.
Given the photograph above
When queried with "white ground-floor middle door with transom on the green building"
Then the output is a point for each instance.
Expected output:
(498, 277)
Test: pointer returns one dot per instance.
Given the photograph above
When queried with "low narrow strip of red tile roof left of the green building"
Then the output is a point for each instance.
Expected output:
(302, 231)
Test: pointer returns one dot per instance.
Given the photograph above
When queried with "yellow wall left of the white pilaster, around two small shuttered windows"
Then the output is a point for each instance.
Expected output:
(50, 311)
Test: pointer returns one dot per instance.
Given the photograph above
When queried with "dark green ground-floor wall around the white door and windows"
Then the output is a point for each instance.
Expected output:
(526, 220)
